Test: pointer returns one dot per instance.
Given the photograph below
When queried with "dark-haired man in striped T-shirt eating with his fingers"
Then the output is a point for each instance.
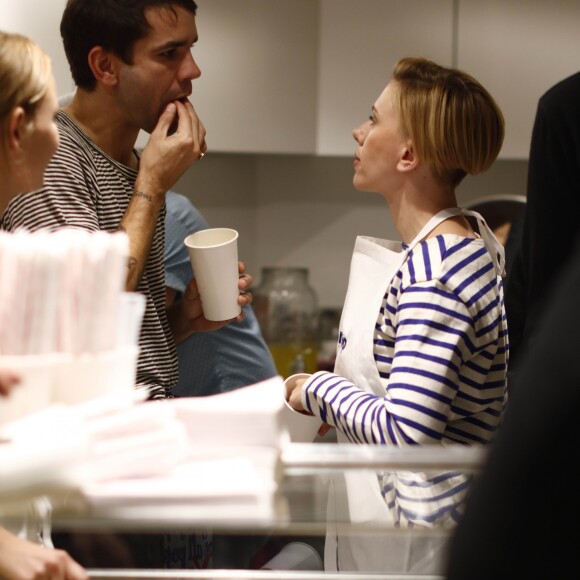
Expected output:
(133, 67)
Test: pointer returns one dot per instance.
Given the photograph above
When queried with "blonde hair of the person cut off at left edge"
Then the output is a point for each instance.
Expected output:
(25, 73)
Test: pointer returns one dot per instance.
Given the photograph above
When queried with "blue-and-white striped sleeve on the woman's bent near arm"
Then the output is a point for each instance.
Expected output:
(422, 383)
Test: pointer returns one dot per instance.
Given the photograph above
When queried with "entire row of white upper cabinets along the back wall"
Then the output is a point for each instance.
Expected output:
(296, 76)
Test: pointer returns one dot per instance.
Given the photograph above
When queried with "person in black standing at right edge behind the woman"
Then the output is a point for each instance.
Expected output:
(551, 215)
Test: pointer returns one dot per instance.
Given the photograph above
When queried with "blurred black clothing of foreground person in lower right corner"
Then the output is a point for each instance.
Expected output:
(521, 515)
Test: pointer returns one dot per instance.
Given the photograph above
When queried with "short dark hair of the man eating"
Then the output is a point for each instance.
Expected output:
(113, 24)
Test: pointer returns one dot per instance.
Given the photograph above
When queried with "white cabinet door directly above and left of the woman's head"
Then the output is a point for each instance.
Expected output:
(360, 42)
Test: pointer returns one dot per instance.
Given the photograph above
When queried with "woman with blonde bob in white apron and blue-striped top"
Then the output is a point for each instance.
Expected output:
(423, 347)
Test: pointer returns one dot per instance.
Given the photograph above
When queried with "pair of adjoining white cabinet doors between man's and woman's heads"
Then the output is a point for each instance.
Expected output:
(296, 76)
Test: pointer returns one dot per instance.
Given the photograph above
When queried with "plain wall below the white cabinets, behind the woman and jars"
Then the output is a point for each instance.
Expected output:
(298, 210)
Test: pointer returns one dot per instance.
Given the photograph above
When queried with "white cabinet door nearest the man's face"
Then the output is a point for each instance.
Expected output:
(258, 58)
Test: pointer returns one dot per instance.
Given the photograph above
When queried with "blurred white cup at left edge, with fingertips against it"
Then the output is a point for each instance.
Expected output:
(33, 392)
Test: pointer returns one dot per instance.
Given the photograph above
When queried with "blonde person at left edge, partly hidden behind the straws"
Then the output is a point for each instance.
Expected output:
(28, 140)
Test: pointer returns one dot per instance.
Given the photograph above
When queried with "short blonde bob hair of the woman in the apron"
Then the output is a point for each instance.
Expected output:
(455, 125)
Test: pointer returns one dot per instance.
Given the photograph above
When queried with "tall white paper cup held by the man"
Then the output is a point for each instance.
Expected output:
(214, 258)
